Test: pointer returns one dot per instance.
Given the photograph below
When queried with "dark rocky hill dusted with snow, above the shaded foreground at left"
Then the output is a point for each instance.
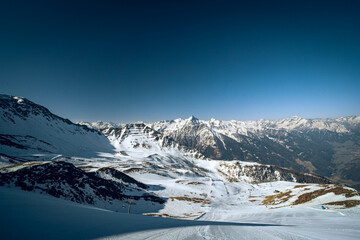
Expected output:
(64, 180)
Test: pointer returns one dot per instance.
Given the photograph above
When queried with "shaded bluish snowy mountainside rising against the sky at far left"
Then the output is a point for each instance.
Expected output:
(27, 128)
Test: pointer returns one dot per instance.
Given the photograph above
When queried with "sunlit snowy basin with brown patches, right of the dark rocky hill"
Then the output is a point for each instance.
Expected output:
(194, 187)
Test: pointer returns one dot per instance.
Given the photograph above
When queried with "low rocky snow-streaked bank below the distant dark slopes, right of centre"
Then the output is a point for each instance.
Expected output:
(257, 173)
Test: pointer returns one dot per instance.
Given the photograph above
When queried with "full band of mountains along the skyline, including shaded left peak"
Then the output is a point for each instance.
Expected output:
(328, 147)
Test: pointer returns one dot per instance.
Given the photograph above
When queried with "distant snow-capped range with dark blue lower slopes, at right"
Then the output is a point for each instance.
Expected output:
(328, 147)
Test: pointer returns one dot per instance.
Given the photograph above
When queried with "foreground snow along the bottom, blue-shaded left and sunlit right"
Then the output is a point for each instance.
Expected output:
(27, 215)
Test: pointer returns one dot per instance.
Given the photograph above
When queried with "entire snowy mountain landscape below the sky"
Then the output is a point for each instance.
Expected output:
(166, 169)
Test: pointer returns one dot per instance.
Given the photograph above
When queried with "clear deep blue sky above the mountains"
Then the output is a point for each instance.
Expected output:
(126, 61)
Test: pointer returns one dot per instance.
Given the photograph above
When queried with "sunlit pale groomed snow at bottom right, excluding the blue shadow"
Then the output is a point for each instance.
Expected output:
(301, 223)
